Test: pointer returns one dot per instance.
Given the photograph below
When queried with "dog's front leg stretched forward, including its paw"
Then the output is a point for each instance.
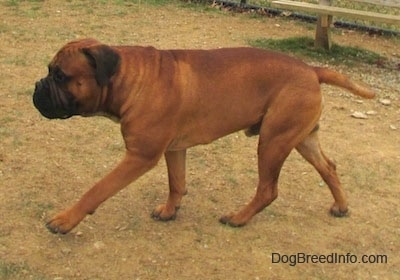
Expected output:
(131, 167)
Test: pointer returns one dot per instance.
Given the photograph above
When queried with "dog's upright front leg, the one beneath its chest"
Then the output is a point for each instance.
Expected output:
(176, 175)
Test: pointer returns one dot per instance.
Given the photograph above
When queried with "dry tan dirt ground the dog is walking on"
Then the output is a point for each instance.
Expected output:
(46, 166)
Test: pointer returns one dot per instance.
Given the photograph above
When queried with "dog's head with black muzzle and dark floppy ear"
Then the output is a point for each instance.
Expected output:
(77, 76)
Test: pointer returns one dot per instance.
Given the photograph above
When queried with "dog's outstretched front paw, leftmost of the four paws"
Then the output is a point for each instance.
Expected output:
(64, 222)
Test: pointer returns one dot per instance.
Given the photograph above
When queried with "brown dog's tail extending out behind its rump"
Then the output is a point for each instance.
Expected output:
(334, 78)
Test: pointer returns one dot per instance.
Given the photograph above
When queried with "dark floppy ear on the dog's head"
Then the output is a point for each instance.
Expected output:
(104, 60)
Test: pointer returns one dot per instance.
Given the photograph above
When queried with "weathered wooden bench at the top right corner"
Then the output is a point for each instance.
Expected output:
(326, 11)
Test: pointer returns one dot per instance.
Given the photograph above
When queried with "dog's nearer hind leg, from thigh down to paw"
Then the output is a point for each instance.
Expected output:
(281, 130)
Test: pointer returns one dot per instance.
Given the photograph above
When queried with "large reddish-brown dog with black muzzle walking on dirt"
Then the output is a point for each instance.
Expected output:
(170, 100)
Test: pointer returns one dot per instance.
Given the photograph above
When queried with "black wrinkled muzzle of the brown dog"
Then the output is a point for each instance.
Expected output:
(52, 102)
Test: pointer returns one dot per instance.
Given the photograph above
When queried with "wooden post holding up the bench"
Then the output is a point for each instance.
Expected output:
(323, 33)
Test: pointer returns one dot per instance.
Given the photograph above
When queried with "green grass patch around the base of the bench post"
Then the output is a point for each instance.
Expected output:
(304, 47)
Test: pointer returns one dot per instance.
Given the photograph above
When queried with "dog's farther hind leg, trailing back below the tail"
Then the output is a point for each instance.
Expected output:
(310, 149)
